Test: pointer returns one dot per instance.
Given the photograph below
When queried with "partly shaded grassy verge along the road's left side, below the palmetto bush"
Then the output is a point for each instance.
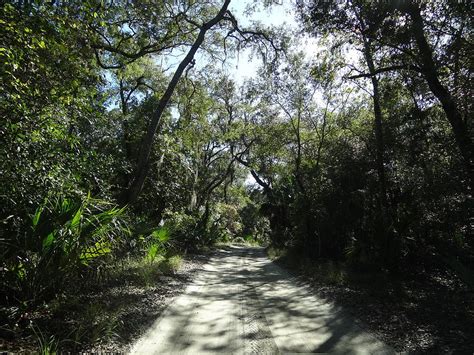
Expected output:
(93, 314)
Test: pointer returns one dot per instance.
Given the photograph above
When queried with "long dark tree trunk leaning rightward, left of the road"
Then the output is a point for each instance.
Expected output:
(142, 166)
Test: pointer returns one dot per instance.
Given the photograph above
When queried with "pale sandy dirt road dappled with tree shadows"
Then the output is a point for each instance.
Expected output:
(242, 303)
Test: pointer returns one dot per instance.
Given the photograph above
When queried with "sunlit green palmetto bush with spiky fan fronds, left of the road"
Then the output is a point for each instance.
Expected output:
(67, 236)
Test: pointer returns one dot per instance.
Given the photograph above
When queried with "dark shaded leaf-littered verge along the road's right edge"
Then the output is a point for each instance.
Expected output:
(419, 312)
